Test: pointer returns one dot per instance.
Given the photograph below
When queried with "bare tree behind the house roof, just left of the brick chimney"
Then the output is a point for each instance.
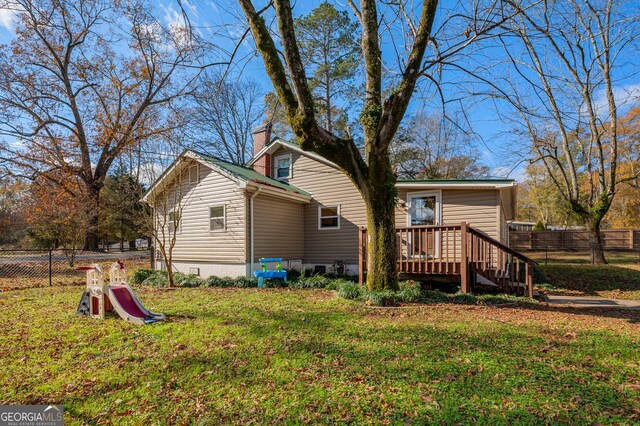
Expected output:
(225, 111)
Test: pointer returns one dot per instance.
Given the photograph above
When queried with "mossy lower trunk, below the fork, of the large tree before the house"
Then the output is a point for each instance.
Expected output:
(382, 273)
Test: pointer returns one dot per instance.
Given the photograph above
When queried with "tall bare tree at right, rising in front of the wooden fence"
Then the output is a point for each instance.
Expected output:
(561, 70)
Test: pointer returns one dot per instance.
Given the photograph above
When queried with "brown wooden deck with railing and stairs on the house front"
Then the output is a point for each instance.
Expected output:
(457, 250)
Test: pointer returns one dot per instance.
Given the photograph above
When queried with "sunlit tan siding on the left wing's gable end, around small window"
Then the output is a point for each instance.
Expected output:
(195, 242)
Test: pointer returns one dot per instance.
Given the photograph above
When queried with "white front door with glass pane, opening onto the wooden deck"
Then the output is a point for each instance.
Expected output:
(423, 208)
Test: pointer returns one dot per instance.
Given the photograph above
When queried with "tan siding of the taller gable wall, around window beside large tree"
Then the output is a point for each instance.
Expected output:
(328, 187)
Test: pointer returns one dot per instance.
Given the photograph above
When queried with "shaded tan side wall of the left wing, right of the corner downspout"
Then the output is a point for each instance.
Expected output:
(278, 228)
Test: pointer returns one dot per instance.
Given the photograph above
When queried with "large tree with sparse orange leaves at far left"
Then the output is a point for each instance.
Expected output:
(84, 80)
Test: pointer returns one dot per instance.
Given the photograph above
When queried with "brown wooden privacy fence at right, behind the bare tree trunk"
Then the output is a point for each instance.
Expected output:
(574, 239)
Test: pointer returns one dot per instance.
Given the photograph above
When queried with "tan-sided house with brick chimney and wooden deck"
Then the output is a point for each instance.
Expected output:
(296, 205)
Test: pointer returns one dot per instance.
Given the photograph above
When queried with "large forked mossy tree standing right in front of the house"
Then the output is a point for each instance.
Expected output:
(407, 31)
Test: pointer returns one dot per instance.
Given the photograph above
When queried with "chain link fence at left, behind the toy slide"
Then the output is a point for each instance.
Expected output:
(40, 268)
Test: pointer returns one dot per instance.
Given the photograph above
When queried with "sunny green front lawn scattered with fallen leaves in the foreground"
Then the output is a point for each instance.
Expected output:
(306, 356)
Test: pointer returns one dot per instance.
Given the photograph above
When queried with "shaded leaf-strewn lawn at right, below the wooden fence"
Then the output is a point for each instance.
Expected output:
(572, 273)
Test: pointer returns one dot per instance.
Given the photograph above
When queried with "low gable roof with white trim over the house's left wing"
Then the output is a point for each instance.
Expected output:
(240, 174)
